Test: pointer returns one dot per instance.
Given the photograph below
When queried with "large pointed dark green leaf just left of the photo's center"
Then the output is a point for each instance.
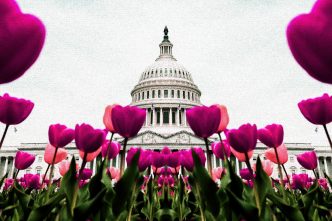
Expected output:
(124, 187)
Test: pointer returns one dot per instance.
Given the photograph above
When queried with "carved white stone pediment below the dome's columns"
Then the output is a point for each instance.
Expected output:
(156, 140)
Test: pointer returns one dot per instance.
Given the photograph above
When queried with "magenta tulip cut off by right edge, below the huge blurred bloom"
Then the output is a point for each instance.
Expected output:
(317, 110)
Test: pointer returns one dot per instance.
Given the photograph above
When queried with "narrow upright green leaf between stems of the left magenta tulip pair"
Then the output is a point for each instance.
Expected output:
(69, 182)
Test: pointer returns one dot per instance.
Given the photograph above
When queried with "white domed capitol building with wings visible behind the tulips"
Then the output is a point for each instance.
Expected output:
(166, 90)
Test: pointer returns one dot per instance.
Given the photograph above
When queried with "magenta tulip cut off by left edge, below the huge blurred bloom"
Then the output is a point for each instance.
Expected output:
(14, 110)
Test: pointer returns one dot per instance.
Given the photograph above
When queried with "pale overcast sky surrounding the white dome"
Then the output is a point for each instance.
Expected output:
(95, 51)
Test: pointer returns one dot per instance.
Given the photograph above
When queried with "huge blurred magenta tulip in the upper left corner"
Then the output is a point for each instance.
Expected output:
(21, 40)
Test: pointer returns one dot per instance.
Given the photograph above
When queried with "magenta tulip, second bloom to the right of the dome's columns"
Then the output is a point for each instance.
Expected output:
(243, 139)
